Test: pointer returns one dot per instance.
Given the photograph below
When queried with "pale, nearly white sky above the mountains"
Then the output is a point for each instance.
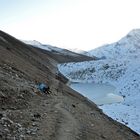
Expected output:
(82, 24)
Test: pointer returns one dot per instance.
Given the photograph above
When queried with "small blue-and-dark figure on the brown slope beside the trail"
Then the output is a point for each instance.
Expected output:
(44, 88)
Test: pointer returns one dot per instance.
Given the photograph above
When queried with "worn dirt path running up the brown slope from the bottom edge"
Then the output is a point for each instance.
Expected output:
(68, 129)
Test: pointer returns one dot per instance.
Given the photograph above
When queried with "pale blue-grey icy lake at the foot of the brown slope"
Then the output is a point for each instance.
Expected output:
(98, 93)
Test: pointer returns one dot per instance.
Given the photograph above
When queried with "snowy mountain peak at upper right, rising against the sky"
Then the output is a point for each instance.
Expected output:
(128, 46)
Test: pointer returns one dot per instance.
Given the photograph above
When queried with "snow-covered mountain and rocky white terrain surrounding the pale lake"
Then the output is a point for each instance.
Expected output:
(120, 68)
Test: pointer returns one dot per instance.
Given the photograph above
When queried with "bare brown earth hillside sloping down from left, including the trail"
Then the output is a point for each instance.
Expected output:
(28, 114)
